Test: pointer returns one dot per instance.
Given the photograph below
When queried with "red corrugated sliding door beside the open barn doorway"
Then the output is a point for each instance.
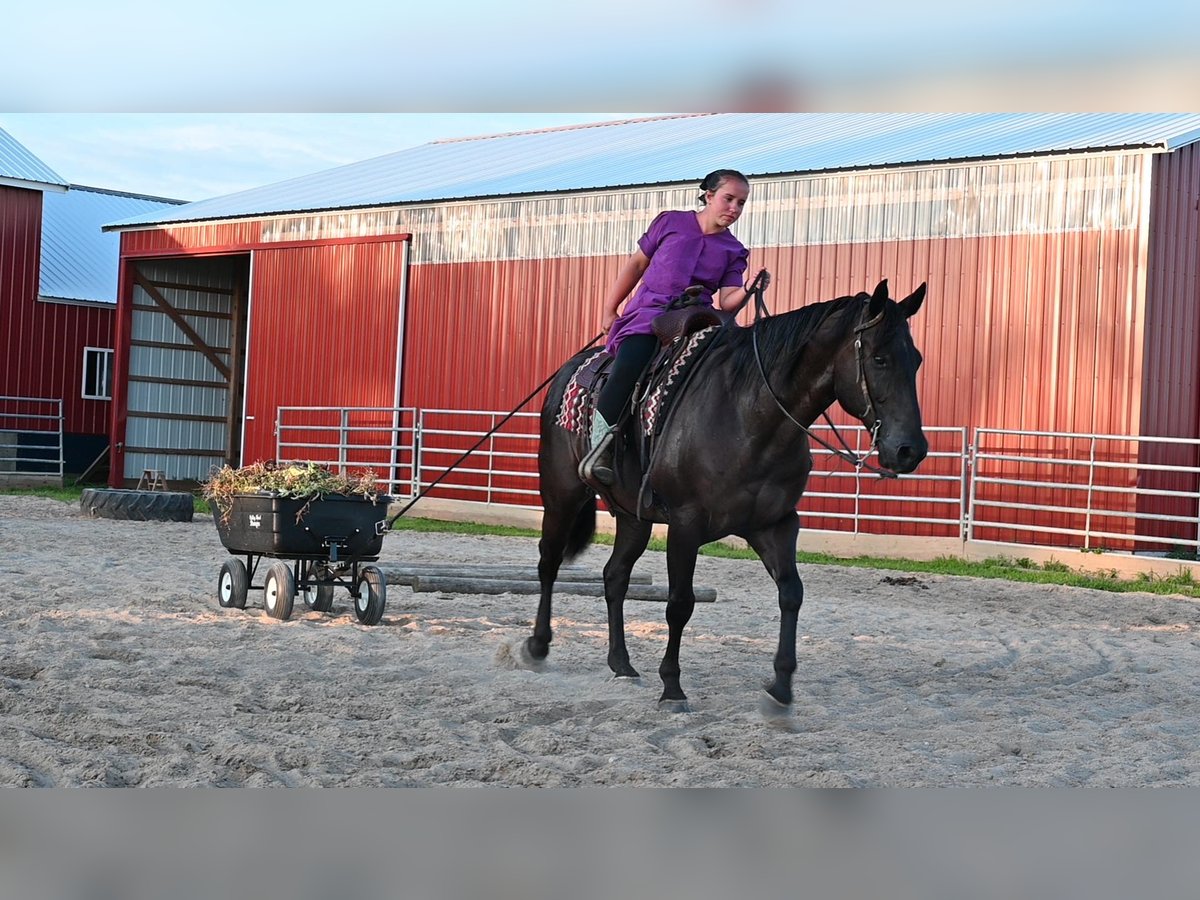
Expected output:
(325, 326)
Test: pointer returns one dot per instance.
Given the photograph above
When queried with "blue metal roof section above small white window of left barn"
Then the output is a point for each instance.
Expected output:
(80, 262)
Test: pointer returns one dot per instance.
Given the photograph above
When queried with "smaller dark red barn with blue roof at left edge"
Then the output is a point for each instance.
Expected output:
(58, 299)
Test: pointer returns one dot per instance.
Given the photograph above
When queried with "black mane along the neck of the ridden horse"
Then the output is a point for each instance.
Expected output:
(784, 338)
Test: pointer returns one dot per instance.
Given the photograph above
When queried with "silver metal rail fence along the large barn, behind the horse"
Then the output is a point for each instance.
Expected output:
(1025, 488)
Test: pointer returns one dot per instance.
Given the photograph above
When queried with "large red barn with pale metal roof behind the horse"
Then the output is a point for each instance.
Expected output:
(1059, 250)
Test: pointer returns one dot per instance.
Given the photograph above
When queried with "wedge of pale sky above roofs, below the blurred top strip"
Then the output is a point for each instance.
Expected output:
(193, 157)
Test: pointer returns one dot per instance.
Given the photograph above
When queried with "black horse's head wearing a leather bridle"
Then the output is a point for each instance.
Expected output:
(875, 379)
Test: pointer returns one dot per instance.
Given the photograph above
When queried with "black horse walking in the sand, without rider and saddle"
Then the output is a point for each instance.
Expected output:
(734, 461)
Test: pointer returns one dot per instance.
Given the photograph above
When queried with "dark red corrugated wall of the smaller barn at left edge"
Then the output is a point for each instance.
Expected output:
(43, 344)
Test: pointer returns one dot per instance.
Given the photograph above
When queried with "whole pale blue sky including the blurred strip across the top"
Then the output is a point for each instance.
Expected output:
(121, 94)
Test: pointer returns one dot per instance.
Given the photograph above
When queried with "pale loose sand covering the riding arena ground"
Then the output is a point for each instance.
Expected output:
(119, 669)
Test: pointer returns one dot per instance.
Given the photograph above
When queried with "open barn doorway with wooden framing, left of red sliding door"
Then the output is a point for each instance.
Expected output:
(187, 367)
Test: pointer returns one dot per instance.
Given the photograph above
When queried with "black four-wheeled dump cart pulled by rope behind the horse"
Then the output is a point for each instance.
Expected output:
(322, 543)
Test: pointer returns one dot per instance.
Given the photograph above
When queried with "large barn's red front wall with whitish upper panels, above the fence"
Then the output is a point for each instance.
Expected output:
(1035, 267)
